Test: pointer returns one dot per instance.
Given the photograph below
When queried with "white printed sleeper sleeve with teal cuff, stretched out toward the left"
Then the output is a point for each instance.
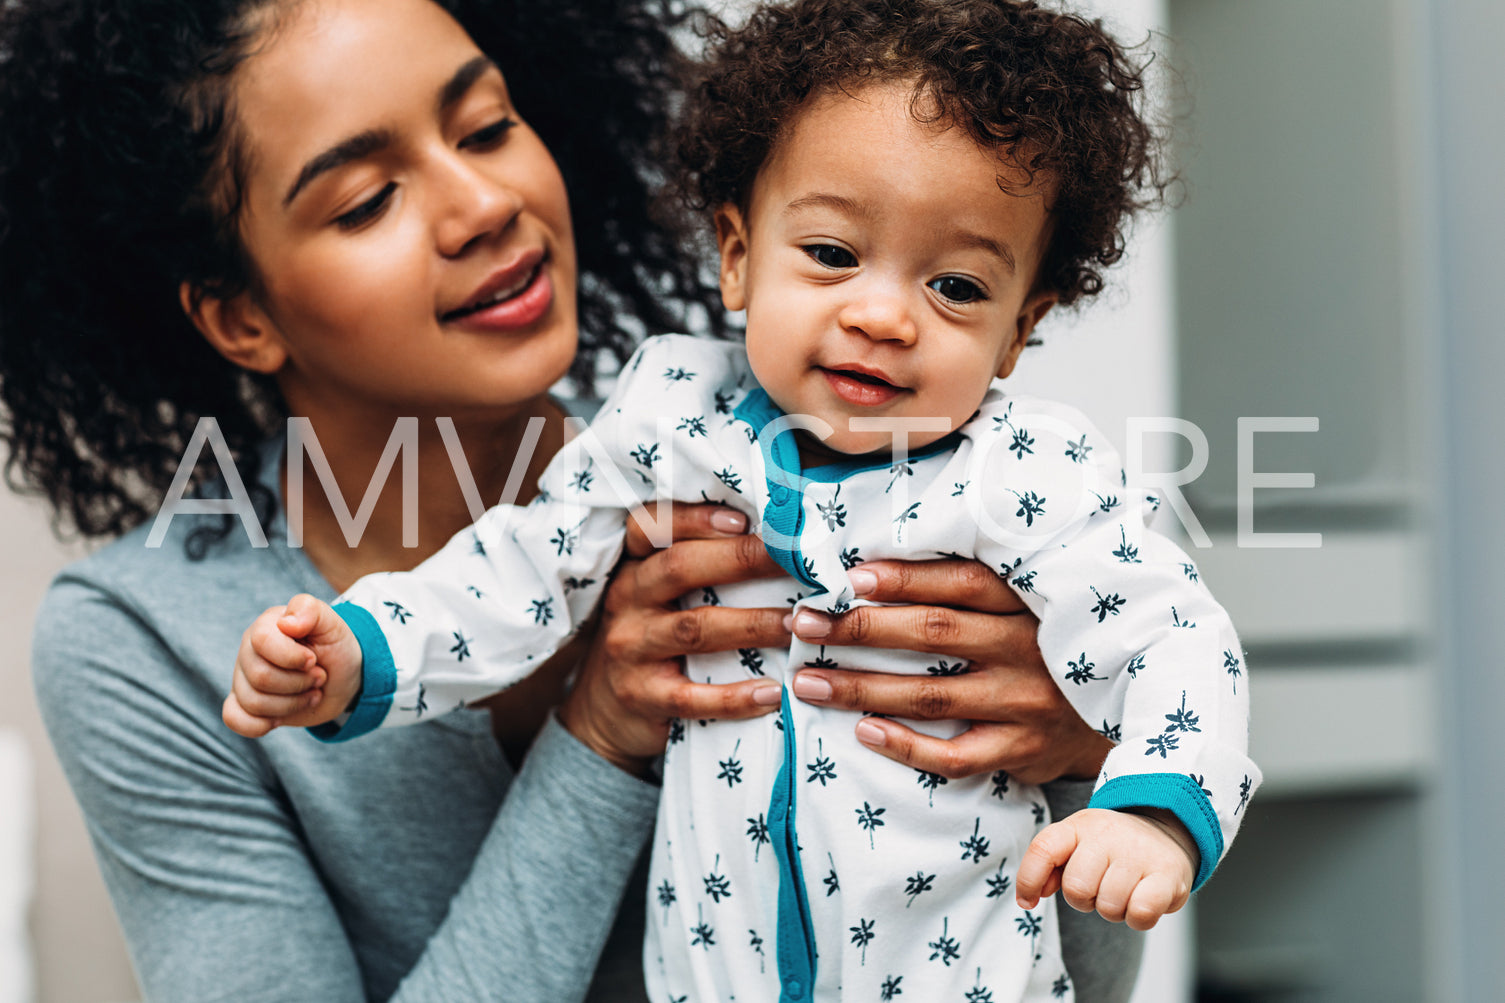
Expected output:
(503, 596)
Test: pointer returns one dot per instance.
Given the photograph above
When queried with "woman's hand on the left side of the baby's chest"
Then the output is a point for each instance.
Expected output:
(633, 684)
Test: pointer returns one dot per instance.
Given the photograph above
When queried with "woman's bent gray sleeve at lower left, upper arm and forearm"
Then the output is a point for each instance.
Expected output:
(211, 876)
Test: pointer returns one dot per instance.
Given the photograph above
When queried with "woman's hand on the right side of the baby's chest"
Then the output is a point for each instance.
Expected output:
(1021, 721)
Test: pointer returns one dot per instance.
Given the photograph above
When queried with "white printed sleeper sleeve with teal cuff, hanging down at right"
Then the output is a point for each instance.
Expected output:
(1128, 630)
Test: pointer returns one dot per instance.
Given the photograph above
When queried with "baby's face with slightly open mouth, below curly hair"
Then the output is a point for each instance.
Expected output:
(883, 269)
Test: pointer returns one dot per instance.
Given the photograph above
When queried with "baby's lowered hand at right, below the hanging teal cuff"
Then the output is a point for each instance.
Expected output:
(1133, 868)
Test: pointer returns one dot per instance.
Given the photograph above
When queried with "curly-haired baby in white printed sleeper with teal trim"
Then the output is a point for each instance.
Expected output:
(902, 191)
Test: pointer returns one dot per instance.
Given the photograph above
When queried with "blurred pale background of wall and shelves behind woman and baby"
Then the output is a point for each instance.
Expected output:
(1333, 260)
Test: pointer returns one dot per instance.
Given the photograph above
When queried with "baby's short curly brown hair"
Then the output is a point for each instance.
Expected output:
(1053, 91)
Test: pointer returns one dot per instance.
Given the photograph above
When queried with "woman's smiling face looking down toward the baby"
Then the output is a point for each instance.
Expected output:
(410, 233)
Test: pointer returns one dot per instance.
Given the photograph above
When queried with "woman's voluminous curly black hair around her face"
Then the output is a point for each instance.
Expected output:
(120, 169)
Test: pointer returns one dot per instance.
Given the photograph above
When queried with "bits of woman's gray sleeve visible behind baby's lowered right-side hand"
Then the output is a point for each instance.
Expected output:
(1101, 957)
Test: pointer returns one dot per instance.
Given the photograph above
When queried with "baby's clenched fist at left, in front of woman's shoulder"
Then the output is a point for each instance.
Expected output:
(299, 665)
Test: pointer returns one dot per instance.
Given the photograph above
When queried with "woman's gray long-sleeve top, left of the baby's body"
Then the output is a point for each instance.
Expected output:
(258, 871)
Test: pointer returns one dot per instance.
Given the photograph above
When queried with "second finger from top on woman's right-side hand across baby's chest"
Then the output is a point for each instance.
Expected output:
(929, 629)
